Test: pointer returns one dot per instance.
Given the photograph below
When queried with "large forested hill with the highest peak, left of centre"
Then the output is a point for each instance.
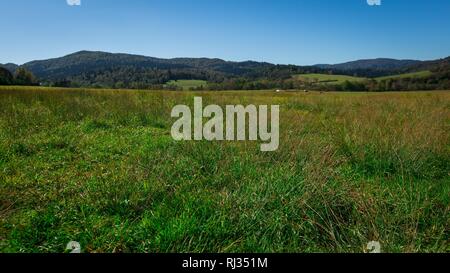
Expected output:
(87, 67)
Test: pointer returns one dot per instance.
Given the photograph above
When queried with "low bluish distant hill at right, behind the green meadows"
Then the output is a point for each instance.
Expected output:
(380, 64)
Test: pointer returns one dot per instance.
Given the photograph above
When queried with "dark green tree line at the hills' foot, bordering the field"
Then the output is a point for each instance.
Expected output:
(264, 78)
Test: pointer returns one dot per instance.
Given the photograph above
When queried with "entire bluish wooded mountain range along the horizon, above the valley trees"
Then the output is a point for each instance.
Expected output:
(88, 68)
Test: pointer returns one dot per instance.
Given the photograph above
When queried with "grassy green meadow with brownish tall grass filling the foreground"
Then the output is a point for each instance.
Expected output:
(100, 167)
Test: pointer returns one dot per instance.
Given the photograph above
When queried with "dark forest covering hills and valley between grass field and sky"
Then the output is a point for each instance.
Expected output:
(108, 70)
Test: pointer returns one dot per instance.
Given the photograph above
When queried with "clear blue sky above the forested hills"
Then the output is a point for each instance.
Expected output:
(279, 31)
